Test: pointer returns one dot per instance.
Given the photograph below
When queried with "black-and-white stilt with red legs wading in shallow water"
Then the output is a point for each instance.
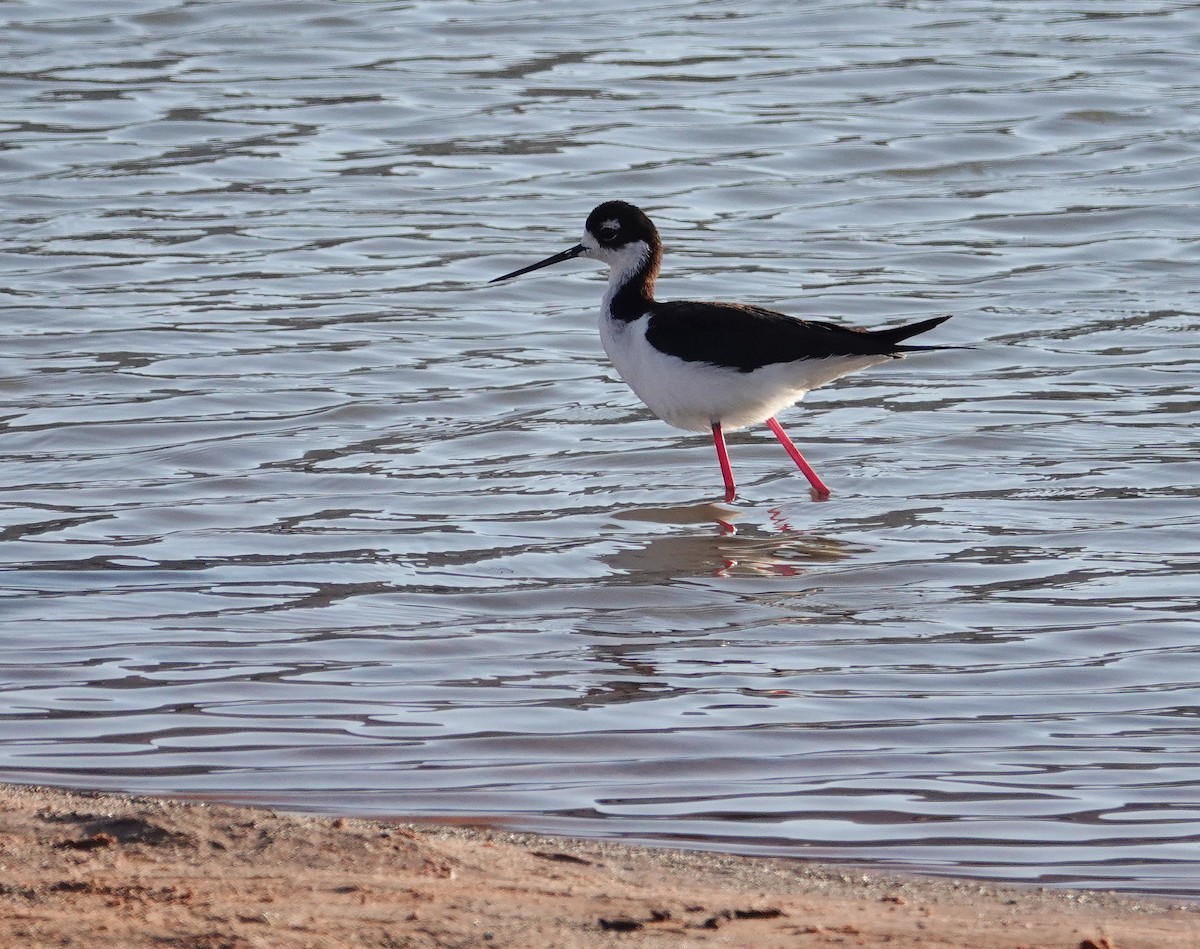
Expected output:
(705, 367)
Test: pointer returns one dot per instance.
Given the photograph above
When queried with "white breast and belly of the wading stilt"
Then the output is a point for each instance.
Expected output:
(694, 395)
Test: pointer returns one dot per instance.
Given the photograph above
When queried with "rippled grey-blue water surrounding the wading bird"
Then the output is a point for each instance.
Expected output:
(296, 509)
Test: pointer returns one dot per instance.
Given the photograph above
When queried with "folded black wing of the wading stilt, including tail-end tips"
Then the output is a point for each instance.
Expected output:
(749, 338)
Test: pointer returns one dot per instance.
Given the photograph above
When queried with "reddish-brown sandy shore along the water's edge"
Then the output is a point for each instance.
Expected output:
(104, 870)
